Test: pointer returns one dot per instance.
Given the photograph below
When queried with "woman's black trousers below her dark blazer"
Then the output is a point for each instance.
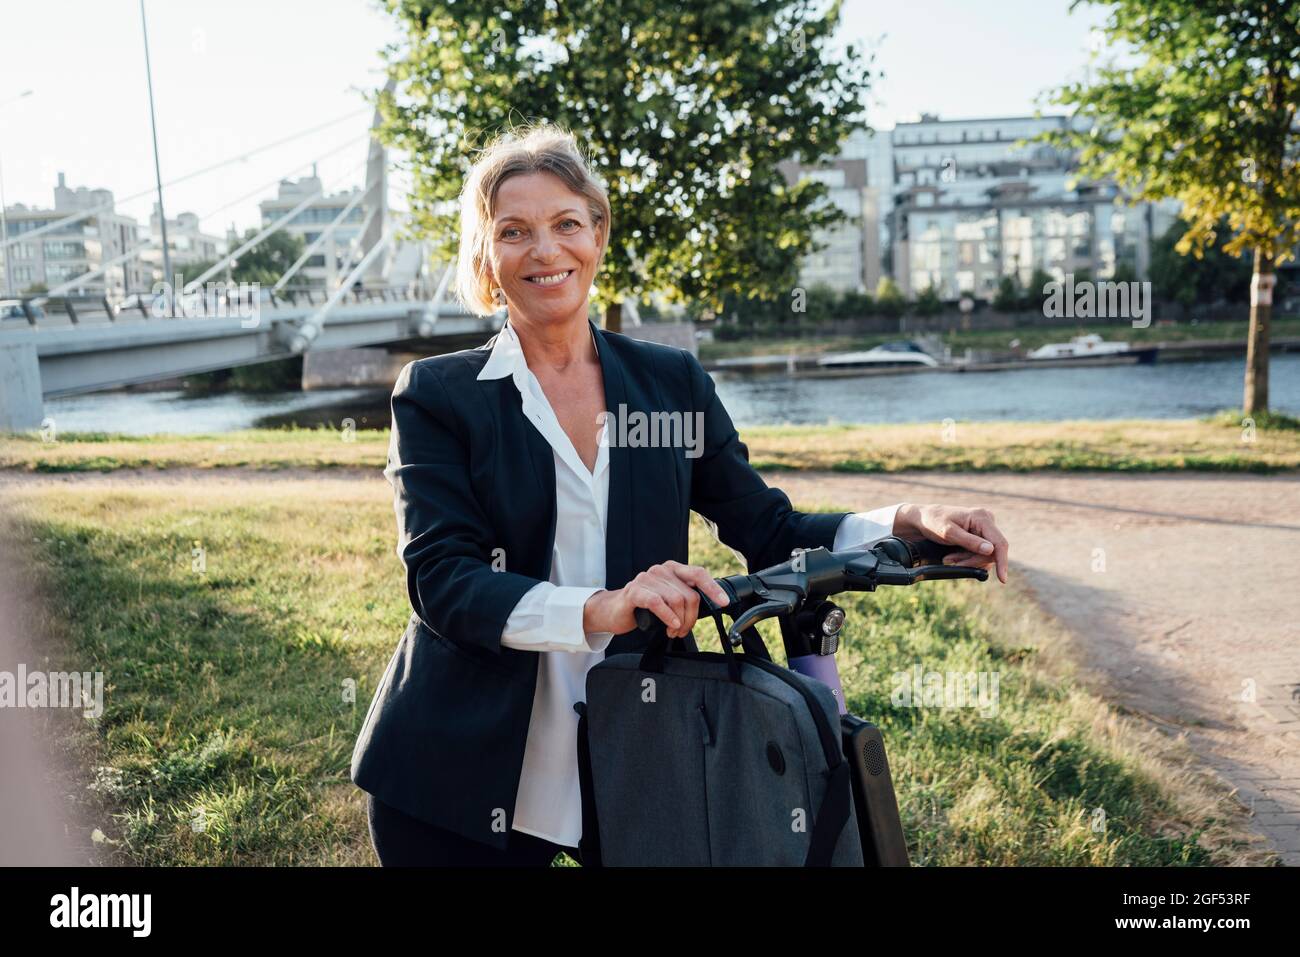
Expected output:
(405, 842)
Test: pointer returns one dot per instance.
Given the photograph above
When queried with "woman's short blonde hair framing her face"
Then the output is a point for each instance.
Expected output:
(534, 149)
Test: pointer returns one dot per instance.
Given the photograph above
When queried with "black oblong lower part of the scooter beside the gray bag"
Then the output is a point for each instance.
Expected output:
(879, 826)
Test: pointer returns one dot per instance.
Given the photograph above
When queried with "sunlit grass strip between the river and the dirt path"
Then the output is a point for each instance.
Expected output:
(1216, 445)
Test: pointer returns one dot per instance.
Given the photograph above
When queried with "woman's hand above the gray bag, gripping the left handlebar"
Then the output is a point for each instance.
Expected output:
(668, 591)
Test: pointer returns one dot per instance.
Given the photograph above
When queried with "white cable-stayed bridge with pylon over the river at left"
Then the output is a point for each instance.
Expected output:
(64, 344)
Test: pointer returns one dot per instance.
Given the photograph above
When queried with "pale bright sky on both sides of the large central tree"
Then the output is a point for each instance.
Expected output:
(235, 76)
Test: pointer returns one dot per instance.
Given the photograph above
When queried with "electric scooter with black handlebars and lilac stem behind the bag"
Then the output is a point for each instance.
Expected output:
(798, 594)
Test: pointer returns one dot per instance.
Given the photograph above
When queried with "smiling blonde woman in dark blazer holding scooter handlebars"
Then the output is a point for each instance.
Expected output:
(532, 530)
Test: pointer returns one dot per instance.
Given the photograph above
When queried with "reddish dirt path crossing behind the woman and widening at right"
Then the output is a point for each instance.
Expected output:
(1184, 592)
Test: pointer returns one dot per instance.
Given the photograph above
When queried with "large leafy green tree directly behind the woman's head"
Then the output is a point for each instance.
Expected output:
(683, 110)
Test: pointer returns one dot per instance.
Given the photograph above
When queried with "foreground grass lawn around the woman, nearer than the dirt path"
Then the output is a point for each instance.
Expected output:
(242, 629)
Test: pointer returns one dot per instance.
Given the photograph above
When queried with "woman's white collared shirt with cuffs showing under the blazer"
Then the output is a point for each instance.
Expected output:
(549, 618)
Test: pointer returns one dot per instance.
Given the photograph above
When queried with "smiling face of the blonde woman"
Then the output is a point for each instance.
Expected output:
(545, 249)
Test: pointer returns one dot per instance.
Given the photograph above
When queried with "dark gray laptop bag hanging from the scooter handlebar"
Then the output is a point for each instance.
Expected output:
(705, 759)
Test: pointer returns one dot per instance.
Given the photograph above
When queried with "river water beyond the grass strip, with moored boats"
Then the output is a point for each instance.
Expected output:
(1172, 391)
